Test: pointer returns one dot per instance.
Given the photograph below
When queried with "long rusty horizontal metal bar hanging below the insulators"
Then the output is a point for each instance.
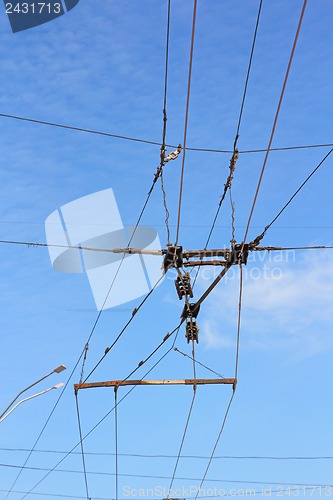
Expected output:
(190, 381)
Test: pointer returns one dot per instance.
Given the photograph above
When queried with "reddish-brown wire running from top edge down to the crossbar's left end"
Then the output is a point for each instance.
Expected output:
(186, 119)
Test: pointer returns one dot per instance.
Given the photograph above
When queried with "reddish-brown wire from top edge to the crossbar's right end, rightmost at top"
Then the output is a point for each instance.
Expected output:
(275, 118)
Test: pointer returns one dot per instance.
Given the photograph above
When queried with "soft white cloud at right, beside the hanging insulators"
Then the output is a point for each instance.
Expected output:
(285, 305)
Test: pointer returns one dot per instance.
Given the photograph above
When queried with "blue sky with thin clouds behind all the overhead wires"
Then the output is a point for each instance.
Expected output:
(101, 67)
